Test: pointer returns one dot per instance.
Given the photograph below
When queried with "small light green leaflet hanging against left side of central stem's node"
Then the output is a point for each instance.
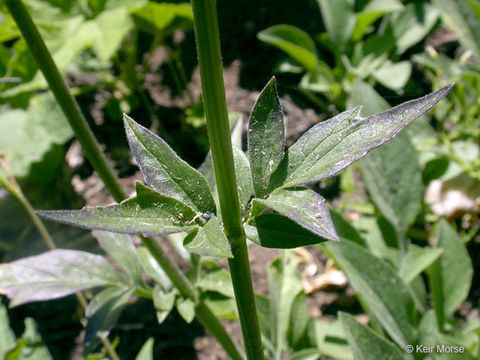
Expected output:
(210, 240)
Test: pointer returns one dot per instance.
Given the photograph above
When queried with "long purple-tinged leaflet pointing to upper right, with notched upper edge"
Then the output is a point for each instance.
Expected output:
(332, 145)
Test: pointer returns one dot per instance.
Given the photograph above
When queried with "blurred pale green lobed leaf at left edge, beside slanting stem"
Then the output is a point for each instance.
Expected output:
(26, 136)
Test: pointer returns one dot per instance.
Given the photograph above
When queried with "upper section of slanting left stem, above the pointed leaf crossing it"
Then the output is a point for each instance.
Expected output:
(69, 107)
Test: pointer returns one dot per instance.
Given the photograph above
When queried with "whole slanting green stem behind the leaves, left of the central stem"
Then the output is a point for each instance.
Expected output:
(95, 155)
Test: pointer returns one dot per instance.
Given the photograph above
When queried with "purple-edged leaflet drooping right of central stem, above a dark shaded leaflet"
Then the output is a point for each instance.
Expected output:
(303, 206)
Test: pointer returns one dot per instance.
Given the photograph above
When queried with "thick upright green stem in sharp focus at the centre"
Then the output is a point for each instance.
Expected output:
(210, 64)
